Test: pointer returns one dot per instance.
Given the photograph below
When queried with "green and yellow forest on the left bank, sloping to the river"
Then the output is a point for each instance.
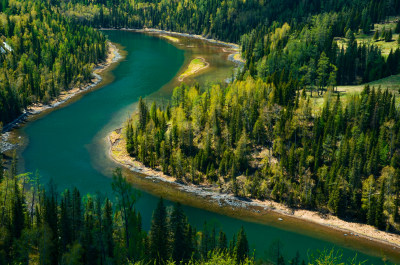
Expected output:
(42, 54)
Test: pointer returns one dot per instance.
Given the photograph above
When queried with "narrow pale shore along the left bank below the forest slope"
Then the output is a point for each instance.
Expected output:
(36, 108)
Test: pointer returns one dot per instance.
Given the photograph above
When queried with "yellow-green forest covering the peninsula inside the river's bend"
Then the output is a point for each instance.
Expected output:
(263, 140)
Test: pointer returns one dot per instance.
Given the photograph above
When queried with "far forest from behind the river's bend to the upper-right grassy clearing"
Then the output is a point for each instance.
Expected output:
(274, 35)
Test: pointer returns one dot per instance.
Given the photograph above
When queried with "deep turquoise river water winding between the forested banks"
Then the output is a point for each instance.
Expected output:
(67, 145)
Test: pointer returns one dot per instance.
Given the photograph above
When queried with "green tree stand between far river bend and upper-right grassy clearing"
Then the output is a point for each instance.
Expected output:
(313, 55)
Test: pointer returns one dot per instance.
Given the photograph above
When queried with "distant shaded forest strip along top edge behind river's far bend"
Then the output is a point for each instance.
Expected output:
(226, 20)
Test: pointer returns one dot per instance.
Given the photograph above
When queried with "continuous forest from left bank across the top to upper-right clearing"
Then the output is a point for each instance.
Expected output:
(274, 36)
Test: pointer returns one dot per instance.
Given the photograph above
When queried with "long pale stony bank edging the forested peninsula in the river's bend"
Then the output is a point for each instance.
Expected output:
(118, 153)
